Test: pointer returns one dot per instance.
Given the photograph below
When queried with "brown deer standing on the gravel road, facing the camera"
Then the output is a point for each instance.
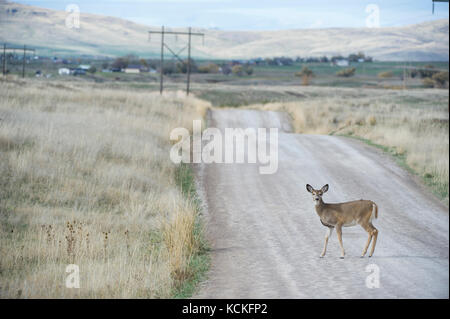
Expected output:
(338, 215)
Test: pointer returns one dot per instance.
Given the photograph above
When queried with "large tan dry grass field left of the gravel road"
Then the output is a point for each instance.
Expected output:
(85, 179)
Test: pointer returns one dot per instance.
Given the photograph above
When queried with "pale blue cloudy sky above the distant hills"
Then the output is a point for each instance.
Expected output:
(259, 14)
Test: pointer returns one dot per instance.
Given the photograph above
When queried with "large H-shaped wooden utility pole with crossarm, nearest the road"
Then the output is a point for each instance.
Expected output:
(163, 44)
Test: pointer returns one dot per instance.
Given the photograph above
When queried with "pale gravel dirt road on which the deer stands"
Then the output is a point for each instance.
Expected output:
(266, 237)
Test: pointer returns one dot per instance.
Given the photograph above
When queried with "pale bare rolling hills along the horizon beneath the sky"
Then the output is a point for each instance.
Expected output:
(98, 35)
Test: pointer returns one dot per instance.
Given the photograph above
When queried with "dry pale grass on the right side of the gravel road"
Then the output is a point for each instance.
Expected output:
(413, 124)
